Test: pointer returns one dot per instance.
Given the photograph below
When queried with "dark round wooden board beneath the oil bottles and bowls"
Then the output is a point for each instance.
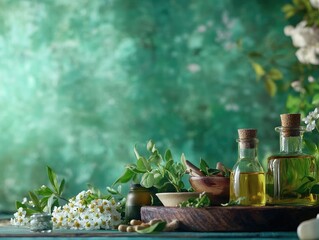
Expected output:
(233, 219)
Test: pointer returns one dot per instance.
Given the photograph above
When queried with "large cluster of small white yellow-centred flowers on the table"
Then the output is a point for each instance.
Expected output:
(78, 214)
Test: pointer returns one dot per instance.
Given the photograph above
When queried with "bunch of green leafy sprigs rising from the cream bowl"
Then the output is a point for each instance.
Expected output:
(156, 171)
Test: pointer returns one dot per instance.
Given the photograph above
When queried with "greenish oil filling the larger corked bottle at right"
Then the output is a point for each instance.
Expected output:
(289, 179)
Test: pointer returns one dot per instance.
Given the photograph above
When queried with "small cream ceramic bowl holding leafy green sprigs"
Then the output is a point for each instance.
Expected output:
(173, 199)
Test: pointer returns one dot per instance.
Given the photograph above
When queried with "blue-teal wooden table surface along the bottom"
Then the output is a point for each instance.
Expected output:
(13, 232)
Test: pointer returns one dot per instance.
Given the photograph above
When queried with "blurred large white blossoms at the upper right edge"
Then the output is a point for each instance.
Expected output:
(307, 40)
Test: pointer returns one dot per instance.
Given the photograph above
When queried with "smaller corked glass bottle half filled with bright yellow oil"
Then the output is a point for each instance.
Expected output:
(247, 179)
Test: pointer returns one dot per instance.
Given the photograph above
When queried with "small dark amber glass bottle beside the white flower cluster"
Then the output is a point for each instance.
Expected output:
(137, 197)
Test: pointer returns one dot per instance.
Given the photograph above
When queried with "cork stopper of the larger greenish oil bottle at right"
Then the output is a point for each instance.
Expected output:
(290, 124)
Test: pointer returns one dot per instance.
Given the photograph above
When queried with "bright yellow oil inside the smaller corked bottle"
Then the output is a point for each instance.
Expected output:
(248, 188)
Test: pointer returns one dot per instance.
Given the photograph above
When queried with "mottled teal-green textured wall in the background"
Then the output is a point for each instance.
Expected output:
(83, 81)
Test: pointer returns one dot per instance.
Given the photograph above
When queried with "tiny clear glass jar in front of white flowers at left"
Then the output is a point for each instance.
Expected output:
(41, 222)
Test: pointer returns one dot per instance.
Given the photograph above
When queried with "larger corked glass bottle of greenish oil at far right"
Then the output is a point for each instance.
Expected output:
(291, 173)
